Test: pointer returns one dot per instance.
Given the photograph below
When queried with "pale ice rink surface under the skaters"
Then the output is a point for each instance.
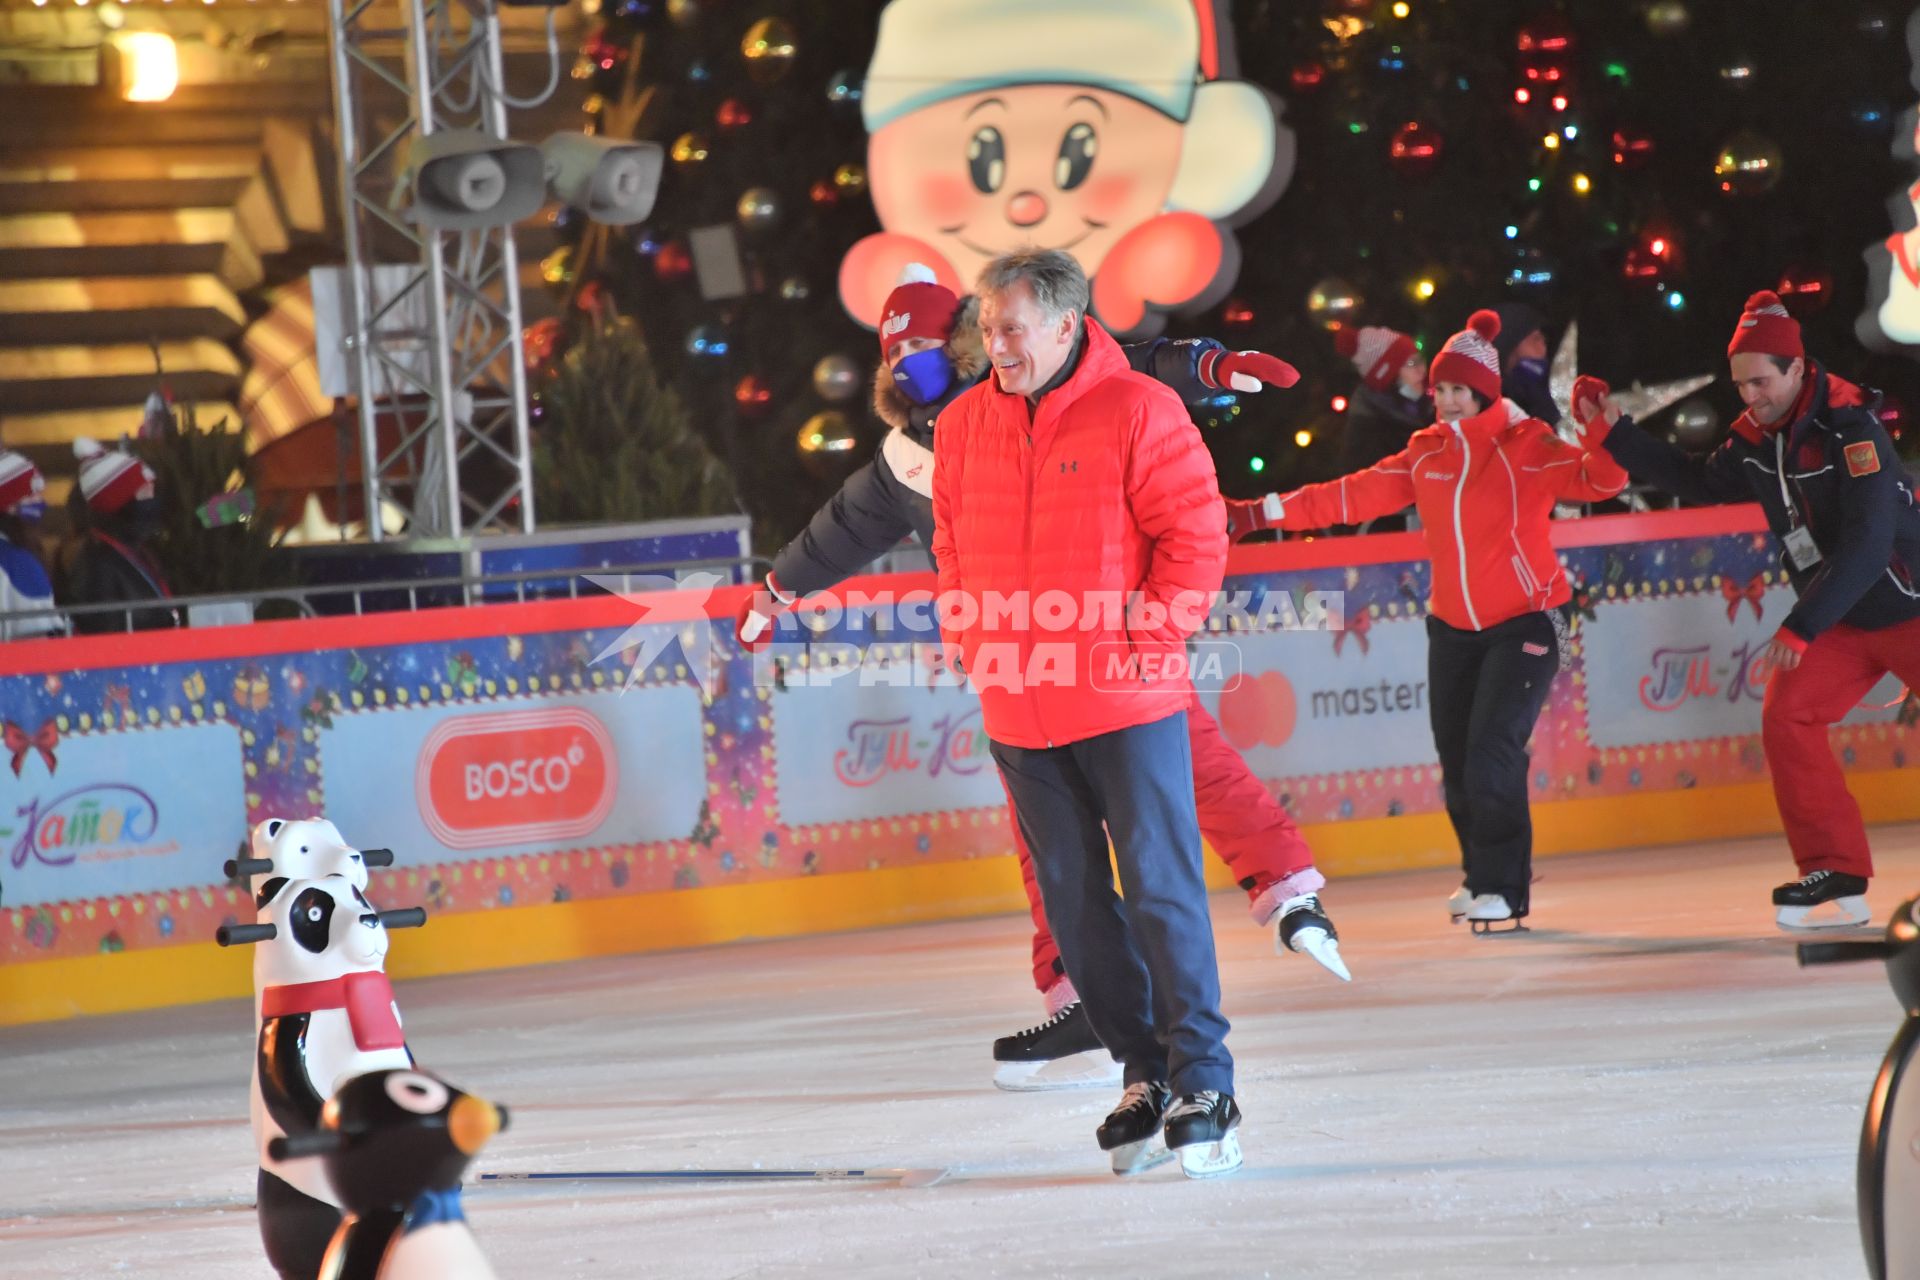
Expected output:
(1643, 1087)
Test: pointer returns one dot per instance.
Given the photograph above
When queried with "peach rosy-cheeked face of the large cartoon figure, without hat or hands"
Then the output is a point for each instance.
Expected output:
(1044, 166)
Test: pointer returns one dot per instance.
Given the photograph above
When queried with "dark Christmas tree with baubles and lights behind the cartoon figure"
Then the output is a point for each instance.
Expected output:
(1641, 168)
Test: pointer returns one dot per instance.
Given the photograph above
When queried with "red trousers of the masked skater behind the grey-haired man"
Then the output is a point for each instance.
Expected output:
(1239, 818)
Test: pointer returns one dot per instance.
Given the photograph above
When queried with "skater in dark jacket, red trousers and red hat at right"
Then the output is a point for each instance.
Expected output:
(1819, 463)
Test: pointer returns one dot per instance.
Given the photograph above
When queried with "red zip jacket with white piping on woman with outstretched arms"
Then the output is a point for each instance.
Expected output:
(1485, 488)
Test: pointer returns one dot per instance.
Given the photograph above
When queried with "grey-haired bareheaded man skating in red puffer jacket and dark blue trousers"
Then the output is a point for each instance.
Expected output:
(1080, 540)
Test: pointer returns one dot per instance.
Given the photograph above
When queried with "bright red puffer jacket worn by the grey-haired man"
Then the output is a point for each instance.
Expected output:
(1057, 519)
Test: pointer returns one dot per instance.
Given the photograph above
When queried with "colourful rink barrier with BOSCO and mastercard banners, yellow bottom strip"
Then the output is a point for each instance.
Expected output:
(285, 713)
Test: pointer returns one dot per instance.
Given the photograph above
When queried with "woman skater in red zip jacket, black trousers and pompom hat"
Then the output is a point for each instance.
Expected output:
(1485, 481)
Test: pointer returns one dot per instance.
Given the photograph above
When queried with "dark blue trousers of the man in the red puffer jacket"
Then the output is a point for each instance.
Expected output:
(1143, 966)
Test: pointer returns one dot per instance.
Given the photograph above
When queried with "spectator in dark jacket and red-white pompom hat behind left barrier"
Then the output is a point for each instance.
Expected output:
(118, 513)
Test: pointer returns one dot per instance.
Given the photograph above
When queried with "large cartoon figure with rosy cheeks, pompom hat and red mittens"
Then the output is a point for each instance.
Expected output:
(1001, 126)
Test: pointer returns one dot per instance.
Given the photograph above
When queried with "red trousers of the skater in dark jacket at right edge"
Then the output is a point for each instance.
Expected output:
(1838, 669)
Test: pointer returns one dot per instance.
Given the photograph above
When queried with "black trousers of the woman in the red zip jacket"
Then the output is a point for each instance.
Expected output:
(1485, 692)
